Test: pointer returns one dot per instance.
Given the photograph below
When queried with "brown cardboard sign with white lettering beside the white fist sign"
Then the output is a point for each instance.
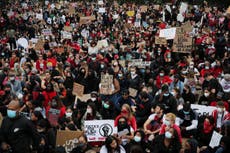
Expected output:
(68, 139)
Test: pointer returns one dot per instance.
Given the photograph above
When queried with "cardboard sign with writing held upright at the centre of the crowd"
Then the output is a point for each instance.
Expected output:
(106, 85)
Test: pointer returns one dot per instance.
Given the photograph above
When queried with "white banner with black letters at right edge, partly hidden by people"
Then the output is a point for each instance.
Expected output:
(203, 110)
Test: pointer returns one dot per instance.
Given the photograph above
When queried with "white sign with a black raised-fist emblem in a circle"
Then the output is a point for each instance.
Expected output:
(98, 130)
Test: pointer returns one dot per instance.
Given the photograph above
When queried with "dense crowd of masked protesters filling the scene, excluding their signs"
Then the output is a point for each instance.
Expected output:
(159, 119)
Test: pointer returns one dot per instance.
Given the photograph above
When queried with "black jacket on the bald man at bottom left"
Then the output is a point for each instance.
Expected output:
(20, 134)
